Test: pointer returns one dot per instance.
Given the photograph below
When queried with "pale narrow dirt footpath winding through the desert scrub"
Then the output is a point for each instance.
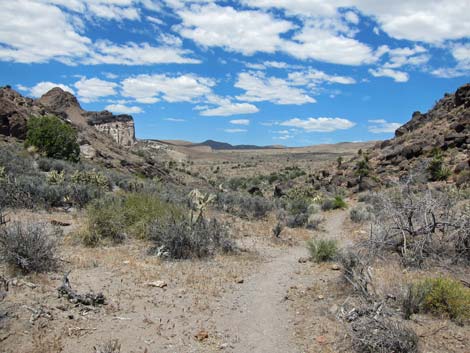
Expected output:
(256, 318)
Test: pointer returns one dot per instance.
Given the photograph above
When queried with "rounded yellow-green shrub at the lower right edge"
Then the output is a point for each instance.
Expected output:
(441, 296)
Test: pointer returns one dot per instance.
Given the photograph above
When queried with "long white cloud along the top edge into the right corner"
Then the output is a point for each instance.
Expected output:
(415, 20)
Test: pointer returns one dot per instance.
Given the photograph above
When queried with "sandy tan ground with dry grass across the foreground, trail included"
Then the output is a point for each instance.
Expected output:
(267, 298)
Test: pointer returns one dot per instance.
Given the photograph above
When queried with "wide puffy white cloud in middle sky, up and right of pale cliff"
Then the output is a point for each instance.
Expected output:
(151, 88)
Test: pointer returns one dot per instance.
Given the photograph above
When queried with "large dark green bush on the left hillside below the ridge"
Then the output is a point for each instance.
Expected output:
(53, 138)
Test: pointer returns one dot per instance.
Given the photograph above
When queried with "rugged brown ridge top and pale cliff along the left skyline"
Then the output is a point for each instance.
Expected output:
(16, 109)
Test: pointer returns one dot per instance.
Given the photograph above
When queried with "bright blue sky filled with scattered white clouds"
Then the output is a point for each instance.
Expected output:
(265, 72)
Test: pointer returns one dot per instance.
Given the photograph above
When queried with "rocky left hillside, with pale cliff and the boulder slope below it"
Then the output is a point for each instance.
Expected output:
(103, 137)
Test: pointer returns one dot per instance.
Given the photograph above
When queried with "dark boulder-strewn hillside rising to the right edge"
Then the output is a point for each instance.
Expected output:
(444, 128)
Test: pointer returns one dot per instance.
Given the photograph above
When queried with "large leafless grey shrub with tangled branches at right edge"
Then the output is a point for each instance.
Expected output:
(420, 225)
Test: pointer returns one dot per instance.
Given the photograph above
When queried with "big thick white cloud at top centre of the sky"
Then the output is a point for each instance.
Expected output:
(245, 32)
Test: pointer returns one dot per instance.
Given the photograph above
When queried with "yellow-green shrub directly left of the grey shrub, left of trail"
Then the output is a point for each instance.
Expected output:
(114, 217)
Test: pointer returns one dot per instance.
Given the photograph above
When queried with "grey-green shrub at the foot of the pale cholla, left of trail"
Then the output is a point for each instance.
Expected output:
(179, 238)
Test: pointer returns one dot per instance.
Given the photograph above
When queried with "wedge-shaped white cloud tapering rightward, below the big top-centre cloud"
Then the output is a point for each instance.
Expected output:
(260, 88)
